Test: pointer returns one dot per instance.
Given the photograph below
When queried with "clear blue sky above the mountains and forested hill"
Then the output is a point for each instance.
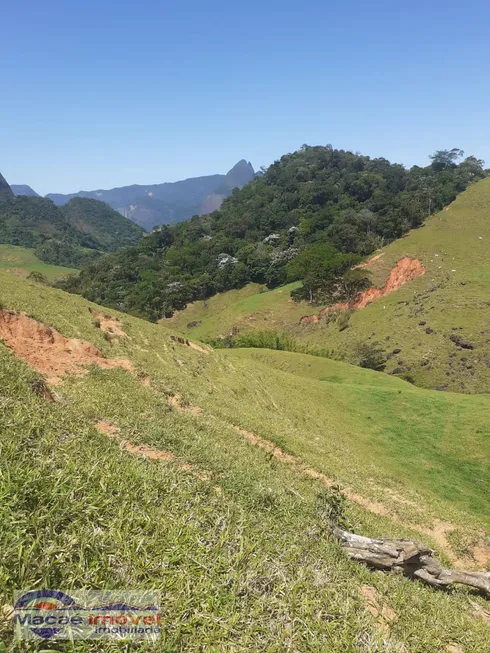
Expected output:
(96, 94)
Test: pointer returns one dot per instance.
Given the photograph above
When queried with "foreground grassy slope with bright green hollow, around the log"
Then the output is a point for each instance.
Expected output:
(183, 496)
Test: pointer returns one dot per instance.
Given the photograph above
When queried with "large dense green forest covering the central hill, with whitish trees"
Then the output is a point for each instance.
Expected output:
(318, 204)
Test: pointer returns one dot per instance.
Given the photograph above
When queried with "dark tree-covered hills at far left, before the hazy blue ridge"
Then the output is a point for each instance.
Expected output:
(72, 235)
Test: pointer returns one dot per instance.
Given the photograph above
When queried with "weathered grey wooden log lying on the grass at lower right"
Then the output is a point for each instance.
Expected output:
(409, 558)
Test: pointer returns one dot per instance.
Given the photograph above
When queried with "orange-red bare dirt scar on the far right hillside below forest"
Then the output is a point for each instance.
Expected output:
(405, 270)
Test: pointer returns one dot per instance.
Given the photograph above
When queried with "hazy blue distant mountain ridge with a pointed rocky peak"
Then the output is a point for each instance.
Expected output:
(168, 203)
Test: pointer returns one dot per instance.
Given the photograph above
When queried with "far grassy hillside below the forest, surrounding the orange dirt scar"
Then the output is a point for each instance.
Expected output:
(449, 300)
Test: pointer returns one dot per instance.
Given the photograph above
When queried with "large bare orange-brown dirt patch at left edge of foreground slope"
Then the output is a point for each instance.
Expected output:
(47, 351)
